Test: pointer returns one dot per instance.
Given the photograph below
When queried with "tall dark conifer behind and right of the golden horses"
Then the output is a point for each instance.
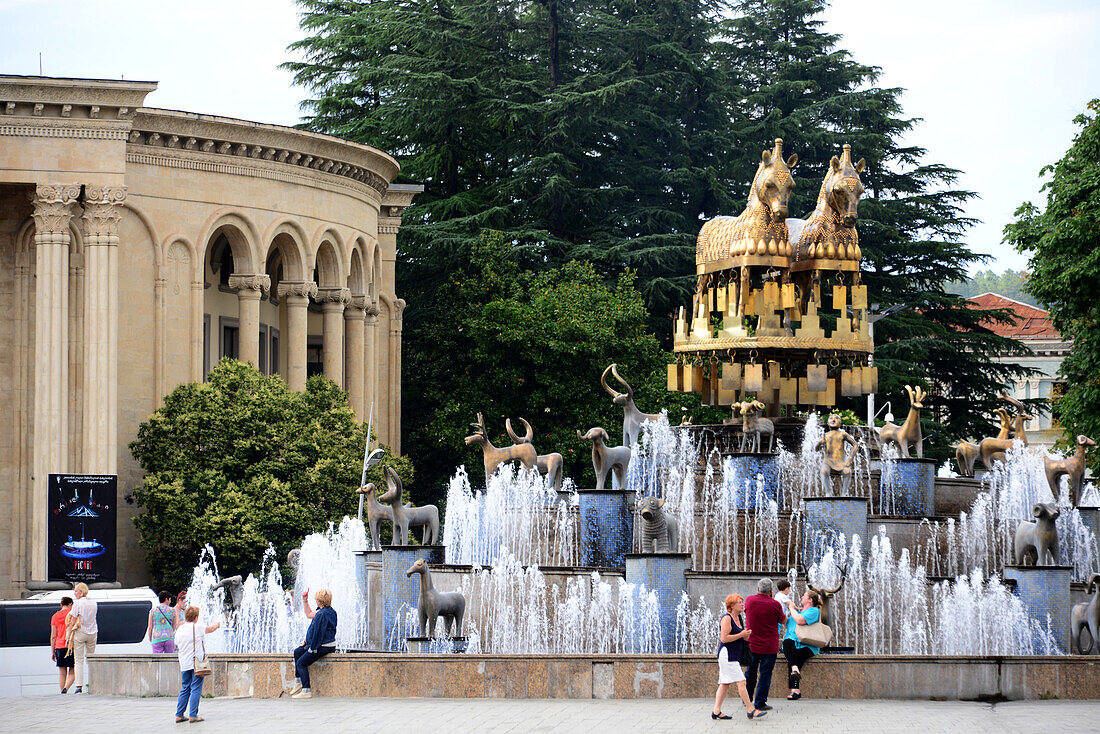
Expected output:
(800, 86)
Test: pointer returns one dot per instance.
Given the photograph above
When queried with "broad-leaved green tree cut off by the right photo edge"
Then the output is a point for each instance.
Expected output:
(1064, 244)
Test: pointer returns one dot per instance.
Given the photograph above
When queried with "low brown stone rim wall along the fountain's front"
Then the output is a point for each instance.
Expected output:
(372, 675)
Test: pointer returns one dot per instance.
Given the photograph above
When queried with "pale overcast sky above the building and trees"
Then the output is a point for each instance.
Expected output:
(997, 83)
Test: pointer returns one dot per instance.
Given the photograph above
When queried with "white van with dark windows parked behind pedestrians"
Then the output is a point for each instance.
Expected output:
(26, 669)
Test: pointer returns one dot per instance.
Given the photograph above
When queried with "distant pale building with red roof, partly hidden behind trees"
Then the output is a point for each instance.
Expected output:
(1049, 349)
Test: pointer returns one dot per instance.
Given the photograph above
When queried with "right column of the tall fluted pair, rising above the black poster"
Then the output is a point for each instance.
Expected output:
(102, 215)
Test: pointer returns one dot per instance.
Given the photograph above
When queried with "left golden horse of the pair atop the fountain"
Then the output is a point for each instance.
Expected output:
(758, 236)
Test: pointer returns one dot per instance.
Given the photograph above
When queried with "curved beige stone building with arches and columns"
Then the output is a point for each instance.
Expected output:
(140, 246)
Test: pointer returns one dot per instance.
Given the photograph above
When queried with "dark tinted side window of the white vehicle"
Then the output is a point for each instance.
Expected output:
(24, 626)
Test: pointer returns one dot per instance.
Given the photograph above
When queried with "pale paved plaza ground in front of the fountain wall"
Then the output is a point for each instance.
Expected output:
(115, 716)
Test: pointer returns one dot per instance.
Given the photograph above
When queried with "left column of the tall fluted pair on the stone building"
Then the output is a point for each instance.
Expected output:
(53, 212)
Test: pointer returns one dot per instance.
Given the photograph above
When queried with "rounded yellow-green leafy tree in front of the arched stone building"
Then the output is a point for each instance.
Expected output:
(241, 463)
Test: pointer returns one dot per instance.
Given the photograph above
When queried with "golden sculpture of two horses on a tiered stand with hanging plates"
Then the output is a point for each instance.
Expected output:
(779, 312)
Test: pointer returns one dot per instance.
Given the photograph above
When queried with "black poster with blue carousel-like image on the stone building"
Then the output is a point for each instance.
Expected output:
(81, 531)
